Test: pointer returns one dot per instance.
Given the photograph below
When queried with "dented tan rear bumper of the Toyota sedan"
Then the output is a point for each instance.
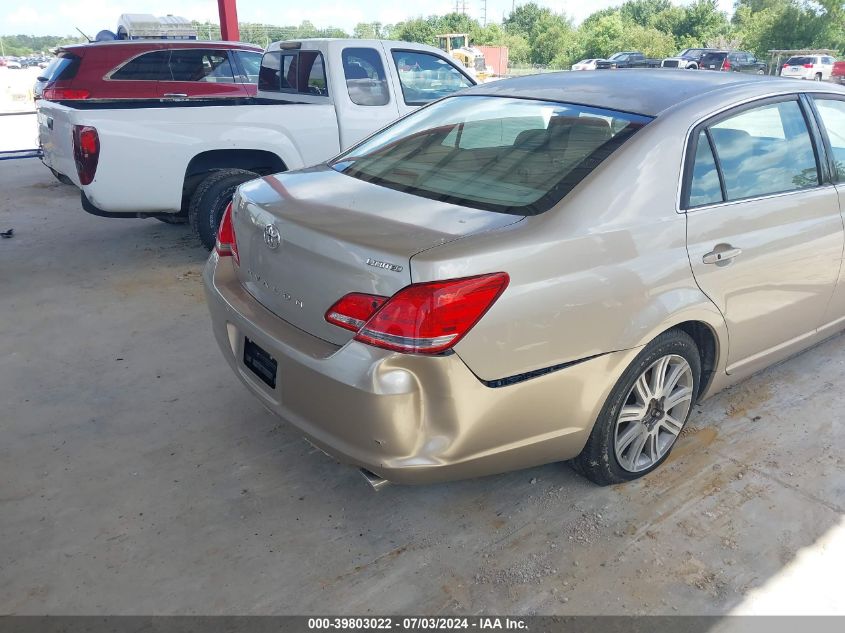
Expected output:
(408, 418)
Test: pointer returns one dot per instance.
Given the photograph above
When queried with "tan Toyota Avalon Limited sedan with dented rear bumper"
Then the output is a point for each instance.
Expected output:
(405, 303)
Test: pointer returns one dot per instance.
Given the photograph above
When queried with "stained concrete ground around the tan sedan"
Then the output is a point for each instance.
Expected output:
(137, 476)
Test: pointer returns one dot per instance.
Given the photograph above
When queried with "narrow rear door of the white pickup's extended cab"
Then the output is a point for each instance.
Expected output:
(365, 103)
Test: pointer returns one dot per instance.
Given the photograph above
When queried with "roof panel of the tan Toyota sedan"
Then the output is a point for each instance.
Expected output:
(640, 91)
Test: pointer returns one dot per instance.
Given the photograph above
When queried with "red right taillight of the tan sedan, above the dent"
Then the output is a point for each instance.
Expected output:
(425, 318)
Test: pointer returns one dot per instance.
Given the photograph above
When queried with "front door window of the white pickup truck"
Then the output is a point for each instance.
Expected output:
(425, 77)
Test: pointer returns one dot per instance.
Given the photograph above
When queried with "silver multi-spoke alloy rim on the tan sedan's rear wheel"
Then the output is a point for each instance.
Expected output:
(654, 413)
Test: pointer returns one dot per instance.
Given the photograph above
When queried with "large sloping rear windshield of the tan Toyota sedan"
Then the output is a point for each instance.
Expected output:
(509, 155)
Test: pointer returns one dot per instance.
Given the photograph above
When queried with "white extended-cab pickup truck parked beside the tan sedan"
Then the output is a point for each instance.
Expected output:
(181, 159)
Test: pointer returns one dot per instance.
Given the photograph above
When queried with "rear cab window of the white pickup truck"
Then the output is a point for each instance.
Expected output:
(293, 71)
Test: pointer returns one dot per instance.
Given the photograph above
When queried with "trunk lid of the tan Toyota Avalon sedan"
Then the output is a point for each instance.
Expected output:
(332, 235)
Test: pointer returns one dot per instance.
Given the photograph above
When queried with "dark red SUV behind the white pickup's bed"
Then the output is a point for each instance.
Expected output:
(151, 69)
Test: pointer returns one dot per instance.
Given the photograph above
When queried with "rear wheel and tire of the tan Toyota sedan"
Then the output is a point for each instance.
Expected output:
(644, 413)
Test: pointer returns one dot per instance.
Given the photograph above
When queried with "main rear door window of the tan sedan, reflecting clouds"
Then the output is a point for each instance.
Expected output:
(765, 150)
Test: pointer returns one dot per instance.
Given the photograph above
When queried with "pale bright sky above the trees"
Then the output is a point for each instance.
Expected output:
(59, 17)
